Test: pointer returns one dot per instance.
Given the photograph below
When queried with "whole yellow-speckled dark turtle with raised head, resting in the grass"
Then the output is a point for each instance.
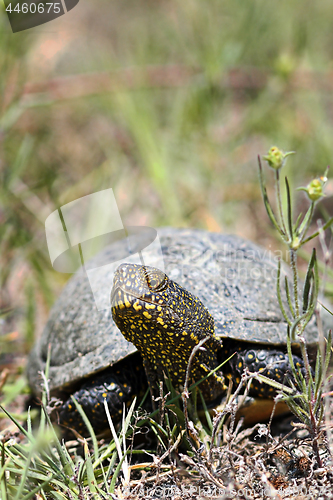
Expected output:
(214, 286)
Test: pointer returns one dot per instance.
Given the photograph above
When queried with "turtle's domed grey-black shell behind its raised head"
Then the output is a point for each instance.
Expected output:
(234, 278)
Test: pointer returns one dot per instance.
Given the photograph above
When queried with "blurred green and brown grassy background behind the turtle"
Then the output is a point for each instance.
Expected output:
(167, 102)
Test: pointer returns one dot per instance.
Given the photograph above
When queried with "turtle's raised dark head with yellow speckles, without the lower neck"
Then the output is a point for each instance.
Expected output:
(161, 318)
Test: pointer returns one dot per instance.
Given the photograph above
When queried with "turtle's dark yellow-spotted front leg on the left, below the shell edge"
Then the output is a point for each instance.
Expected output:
(117, 385)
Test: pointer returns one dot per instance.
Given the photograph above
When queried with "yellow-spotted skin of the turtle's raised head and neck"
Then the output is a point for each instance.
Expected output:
(165, 322)
